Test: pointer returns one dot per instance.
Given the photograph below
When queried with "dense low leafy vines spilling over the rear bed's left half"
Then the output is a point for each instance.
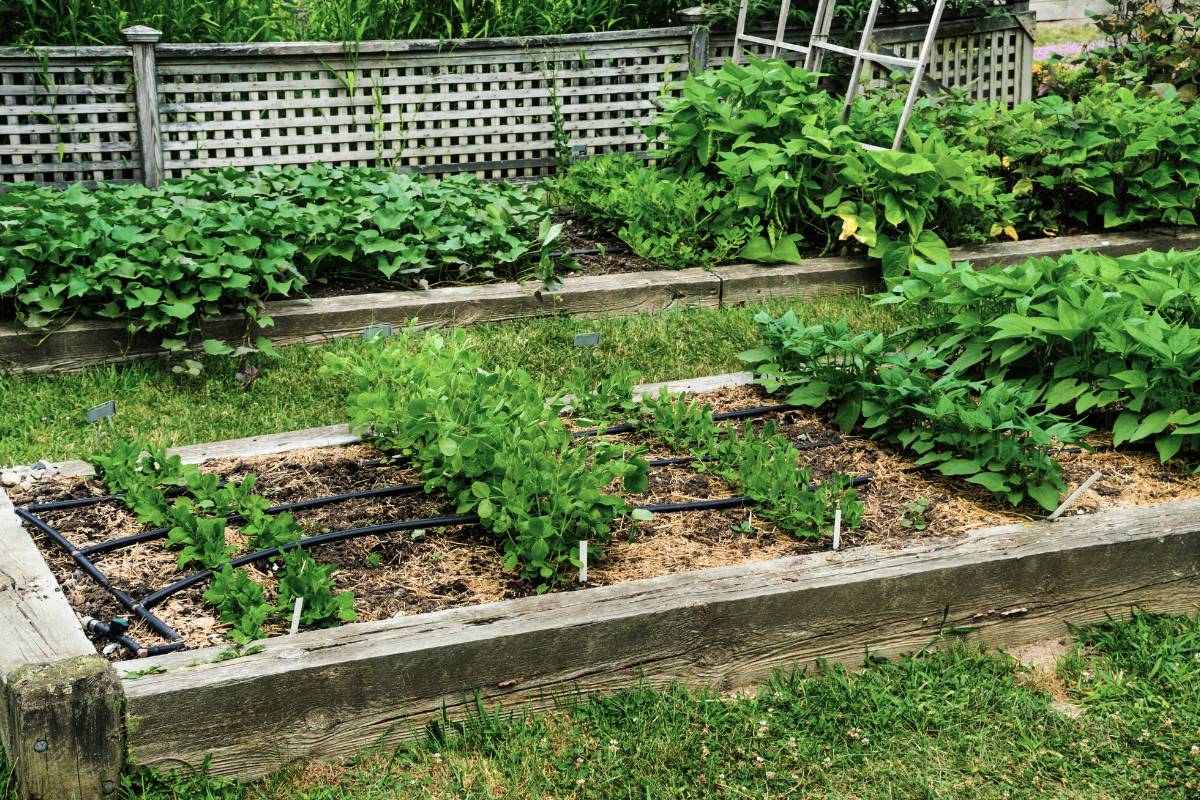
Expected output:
(165, 261)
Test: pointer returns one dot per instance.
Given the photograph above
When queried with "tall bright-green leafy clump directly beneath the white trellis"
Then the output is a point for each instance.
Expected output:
(755, 154)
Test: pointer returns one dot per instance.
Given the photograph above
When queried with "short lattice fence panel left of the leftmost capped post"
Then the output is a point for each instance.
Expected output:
(68, 118)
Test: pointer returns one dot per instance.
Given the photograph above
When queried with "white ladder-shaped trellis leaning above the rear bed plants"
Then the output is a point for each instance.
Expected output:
(819, 45)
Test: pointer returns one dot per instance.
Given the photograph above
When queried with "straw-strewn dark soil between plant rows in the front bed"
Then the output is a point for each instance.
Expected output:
(446, 568)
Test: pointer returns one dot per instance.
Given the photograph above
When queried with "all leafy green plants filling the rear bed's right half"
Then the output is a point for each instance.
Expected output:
(757, 165)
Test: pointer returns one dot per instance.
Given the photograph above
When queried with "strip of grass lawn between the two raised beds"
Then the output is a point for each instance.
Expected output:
(44, 416)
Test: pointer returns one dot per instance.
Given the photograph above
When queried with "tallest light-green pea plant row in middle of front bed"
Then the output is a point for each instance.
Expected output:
(493, 443)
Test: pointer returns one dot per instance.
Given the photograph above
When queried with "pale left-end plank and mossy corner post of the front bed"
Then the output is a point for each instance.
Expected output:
(62, 709)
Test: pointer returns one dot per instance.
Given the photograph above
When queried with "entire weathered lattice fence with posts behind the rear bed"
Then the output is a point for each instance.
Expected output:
(502, 109)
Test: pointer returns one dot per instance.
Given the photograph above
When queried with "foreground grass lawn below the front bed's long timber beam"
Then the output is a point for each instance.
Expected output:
(951, 724)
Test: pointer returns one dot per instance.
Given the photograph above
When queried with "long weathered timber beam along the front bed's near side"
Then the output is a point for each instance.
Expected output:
(331, 694)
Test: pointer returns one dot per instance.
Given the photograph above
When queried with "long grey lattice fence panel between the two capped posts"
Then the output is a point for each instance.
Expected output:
(488, 111)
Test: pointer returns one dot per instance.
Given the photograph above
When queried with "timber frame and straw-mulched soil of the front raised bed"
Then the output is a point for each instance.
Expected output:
(759, 601)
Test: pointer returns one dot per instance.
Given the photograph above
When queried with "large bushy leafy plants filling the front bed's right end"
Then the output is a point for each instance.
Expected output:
(1006, 364)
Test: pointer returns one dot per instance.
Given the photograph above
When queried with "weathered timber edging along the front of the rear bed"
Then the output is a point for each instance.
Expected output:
(81, 345)
